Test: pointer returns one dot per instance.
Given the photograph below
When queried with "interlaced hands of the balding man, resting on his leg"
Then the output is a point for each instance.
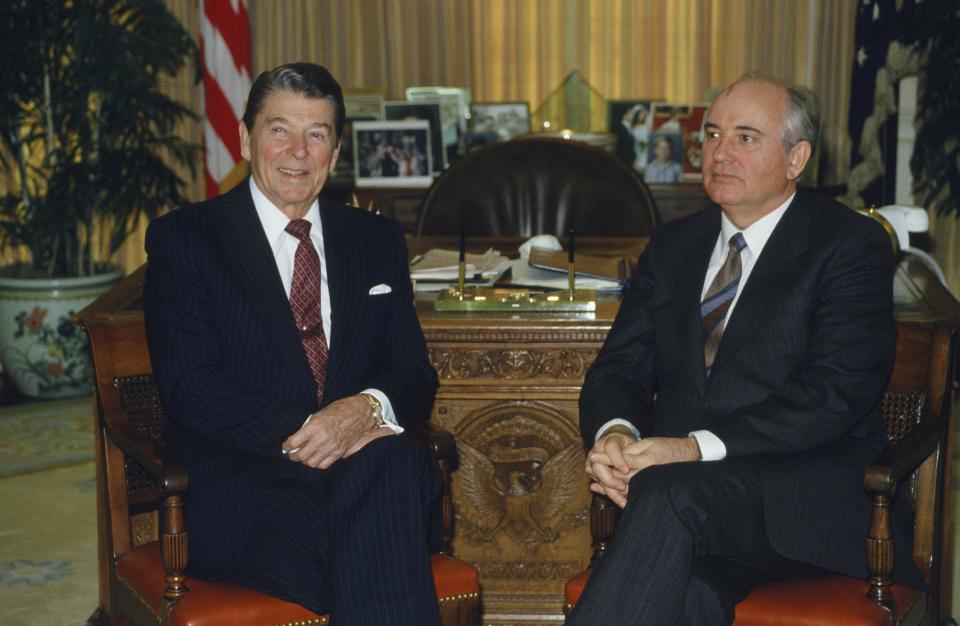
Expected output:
(617, 457)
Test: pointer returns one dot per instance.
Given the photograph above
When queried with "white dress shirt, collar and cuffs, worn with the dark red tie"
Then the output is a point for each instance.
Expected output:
(284, 246)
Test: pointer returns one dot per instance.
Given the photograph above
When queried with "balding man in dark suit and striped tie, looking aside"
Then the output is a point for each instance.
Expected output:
(734, 406)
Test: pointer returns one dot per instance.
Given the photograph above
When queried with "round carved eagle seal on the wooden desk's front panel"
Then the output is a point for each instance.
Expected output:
(520, 467)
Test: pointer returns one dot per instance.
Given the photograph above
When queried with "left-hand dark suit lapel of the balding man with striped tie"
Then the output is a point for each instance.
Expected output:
(689, 284)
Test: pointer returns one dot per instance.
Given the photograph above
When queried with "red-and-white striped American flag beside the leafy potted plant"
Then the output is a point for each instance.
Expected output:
(225, 46)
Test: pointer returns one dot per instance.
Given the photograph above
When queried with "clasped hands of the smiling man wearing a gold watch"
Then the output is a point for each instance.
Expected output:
(334, 432)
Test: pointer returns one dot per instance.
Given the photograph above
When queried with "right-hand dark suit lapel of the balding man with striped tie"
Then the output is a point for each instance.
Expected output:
(772, 271)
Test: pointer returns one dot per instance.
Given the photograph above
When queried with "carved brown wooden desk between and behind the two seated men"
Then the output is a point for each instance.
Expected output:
(508, 392)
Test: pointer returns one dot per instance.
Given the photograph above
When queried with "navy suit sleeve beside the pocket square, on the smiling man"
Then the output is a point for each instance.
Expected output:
(404, 372)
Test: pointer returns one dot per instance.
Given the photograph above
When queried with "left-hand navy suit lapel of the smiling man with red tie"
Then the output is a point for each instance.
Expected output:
(246, 249)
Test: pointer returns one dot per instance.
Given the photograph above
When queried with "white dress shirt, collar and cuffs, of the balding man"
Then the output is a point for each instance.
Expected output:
(756, 235)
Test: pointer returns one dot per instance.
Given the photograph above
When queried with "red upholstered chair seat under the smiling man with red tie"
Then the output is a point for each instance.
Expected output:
(226, 604)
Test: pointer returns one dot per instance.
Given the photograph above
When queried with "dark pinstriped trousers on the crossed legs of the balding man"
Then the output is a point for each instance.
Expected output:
(689, 545)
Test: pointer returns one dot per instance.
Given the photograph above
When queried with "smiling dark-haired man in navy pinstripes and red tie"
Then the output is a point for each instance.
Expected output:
(289, 360)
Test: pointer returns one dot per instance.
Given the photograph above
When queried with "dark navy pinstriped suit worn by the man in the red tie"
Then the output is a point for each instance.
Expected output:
(235, 383)
